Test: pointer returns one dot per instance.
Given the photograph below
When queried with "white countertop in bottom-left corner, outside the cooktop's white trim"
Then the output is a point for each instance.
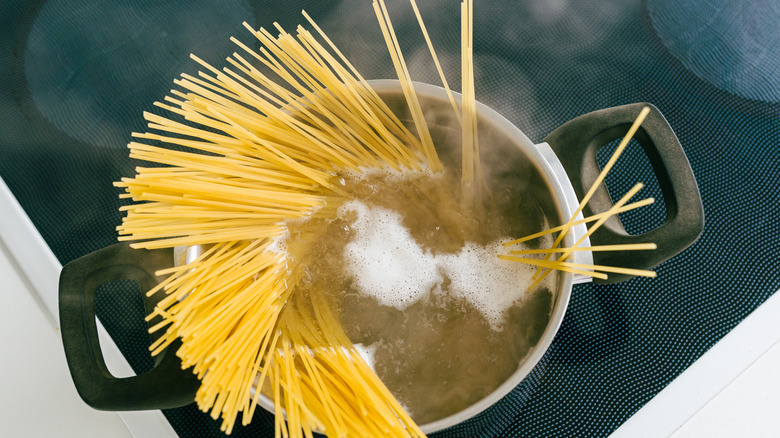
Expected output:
(38, 398)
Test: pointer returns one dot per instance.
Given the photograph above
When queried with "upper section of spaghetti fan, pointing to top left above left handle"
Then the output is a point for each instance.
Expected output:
(255, 153)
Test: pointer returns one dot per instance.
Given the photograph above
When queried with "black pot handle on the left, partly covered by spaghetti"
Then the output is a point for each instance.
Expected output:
(166, 385)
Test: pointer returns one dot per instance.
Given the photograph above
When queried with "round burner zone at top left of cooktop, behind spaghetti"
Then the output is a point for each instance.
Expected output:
(94, 66)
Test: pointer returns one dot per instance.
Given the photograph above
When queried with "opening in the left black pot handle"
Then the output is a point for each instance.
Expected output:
(119, 306)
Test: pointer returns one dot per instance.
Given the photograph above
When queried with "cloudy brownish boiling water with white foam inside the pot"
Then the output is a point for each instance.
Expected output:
(415, 280)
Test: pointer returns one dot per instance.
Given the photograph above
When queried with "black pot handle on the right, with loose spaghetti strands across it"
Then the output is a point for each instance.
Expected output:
(576, 143)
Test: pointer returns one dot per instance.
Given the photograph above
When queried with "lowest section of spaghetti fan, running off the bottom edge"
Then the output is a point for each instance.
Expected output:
(323, 384)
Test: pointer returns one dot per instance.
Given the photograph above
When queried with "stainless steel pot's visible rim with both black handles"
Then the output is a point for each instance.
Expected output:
(559, 172)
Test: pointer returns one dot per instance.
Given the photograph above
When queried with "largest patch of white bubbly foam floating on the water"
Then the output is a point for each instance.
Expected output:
(388, 264)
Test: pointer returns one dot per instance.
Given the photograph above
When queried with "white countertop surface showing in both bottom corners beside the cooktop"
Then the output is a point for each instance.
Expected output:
(733, 390)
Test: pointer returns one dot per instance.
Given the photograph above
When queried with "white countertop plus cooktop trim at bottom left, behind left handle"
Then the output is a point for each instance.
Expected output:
(37, 396)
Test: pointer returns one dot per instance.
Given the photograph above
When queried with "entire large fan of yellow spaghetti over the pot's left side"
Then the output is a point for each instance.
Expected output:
(243, 151)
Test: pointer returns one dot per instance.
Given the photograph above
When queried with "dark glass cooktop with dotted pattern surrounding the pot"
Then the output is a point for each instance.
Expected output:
(77, 75)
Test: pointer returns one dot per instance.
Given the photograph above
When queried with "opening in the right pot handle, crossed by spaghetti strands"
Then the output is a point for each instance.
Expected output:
(632, 167)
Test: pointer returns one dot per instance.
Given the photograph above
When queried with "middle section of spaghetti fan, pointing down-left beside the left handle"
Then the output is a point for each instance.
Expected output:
(224, 307)
